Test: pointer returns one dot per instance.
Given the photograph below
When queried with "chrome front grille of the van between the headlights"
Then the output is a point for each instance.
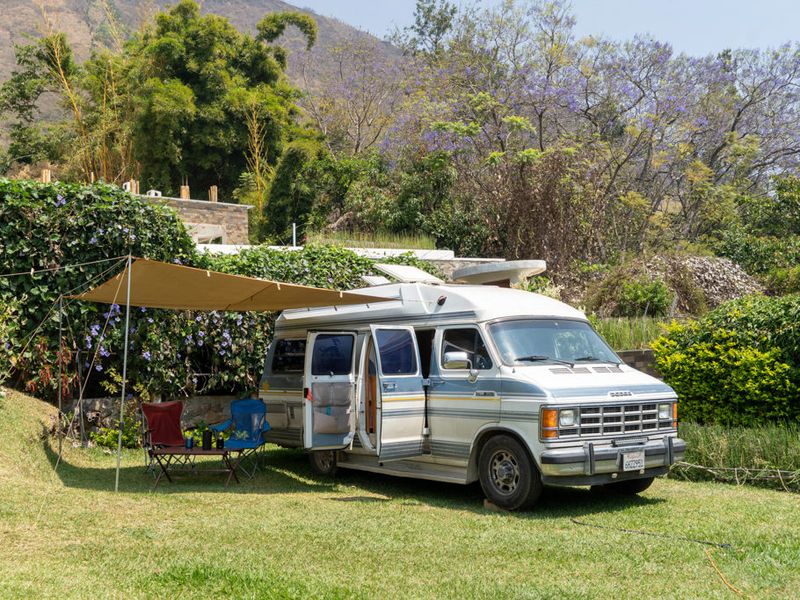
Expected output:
(618, 419)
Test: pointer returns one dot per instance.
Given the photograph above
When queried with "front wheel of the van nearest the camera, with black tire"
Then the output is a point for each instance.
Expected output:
(509, 477)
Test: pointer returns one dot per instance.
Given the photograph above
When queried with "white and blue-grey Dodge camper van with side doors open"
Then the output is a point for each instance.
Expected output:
(462, 383)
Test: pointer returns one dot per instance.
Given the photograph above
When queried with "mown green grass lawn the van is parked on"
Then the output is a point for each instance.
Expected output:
(288, 534)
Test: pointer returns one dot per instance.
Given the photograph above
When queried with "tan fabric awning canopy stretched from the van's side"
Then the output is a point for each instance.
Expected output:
(163, 285)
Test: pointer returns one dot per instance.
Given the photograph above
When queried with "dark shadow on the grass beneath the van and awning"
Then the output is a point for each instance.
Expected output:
(288, 471)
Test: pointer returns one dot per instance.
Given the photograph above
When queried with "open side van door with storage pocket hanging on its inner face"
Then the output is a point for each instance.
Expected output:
(329, 390)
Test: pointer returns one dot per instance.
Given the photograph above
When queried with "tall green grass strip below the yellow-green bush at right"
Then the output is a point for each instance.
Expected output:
(742, 454)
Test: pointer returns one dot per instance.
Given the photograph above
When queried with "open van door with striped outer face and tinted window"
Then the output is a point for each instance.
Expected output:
(401, 395)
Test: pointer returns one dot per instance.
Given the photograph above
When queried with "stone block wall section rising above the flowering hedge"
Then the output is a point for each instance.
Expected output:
(209, 221)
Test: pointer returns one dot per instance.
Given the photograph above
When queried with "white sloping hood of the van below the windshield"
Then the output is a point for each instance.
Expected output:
(593, 380)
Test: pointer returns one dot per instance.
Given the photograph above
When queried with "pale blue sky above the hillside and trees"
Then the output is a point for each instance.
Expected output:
(696, 27)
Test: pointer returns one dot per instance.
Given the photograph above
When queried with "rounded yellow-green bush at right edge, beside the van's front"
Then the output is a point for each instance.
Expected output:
(739, 365)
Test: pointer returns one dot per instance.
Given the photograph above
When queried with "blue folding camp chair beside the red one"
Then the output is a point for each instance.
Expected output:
(247, 426)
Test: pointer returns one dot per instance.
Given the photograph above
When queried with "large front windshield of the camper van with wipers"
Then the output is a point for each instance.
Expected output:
(530, 341)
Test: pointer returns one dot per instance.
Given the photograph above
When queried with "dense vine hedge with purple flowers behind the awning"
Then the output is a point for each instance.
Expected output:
(171, 352)
